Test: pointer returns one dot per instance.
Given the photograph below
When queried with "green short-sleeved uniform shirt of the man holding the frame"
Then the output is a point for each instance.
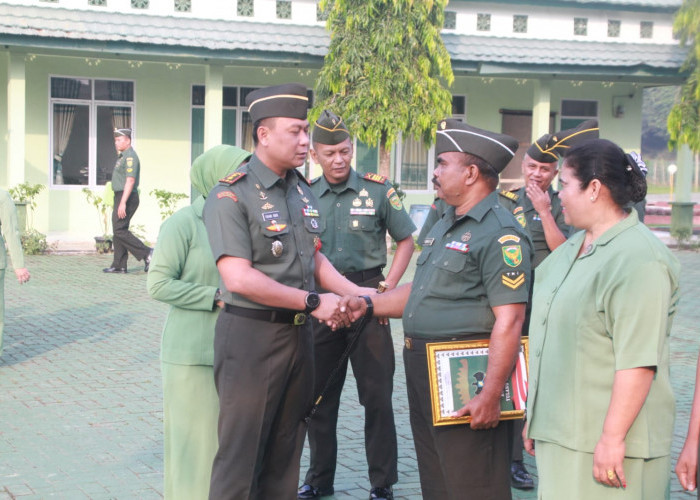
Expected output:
(469, 264)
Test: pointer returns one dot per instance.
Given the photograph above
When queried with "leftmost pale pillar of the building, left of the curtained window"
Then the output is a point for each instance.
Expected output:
(16, 117)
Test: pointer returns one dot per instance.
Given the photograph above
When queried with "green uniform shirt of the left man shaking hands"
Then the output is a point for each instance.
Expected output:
(254, 214)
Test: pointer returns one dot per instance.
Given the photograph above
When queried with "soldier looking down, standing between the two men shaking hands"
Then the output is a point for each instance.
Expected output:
(356, 213)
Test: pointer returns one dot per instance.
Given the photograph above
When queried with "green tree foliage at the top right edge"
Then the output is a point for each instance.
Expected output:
(684, 118)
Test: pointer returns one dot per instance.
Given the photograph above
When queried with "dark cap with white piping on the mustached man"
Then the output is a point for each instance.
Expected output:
(494, 148)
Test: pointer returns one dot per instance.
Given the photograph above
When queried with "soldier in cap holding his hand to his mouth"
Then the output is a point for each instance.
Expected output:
(538, 209)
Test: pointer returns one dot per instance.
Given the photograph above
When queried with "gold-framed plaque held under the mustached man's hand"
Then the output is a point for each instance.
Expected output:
(457, 372)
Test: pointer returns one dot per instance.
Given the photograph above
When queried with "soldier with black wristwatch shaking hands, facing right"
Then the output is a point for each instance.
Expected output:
(263, 227)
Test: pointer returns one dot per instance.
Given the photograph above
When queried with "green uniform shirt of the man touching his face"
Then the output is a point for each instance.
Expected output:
(521, 206)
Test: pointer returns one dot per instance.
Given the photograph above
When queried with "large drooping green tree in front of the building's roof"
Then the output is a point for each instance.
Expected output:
(386, 71)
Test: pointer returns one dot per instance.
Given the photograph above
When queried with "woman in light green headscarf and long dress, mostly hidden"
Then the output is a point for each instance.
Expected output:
(183, 274)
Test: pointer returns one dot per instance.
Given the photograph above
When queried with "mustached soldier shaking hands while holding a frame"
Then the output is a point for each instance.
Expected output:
(471, 282)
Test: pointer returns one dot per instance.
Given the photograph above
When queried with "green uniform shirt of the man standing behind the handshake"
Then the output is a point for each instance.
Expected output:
(356, 216)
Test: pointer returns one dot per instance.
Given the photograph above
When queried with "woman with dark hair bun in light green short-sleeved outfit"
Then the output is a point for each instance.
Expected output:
(600, 406)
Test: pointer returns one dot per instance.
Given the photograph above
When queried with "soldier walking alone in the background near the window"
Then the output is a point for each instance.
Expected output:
(125, 183)
